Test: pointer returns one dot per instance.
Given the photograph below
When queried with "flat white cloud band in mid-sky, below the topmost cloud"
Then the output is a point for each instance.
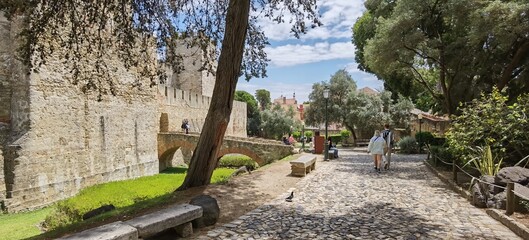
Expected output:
(290, 55)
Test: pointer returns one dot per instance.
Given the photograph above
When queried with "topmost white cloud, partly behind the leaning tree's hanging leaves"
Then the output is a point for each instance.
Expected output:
(337, 16)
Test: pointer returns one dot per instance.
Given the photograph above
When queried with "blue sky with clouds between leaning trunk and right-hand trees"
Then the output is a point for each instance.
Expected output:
(296, 64)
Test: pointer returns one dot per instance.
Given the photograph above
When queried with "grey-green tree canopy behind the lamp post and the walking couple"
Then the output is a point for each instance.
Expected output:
(357, 111)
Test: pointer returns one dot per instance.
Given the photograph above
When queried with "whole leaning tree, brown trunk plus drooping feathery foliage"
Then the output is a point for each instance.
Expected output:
(94, 27)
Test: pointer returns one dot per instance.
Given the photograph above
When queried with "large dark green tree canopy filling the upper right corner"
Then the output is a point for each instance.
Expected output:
(451, 50)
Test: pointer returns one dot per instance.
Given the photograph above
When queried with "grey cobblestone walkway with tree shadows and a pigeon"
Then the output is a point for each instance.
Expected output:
(346, 199)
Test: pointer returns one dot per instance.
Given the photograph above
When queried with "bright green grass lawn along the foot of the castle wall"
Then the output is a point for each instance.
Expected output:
(127, 196)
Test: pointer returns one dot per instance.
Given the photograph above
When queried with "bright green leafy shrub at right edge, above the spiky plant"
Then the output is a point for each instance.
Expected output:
(491, 120)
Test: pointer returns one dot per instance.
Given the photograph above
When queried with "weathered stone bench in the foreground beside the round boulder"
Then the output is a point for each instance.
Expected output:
(178, 217)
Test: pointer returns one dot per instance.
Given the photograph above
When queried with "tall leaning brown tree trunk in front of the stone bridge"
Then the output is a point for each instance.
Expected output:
(204, 157)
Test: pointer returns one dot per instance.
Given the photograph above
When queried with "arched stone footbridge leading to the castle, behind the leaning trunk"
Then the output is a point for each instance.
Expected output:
(261, 151)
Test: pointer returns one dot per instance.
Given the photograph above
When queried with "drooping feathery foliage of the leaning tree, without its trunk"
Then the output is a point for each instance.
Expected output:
(95, 26)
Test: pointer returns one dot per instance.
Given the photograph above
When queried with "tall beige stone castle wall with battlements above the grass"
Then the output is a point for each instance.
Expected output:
(56, 140)
